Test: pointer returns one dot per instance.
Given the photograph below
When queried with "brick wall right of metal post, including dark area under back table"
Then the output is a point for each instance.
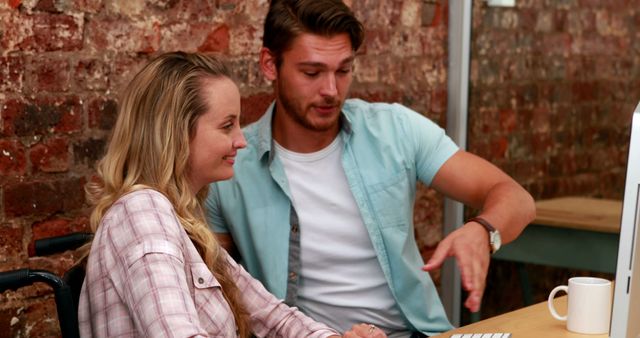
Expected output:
(553, 87)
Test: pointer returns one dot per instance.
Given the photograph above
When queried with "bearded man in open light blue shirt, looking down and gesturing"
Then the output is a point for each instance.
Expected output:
(320, 208)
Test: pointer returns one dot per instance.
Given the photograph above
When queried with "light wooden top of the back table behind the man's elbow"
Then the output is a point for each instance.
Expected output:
(582, 213)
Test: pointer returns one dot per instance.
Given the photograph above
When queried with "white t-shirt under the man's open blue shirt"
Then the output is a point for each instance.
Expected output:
(341, 281)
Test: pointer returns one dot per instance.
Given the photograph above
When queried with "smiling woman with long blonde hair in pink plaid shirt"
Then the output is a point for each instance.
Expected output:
(154, 268)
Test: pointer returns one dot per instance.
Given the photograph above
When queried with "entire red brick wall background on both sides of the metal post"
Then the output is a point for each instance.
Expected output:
(552, 85)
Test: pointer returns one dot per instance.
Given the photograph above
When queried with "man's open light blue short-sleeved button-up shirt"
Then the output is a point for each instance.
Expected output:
(387, 148)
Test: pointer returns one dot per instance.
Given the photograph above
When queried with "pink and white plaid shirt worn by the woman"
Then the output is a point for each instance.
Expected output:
(146, 278)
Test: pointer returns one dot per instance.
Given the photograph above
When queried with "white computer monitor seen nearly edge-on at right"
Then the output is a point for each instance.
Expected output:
(625, 318)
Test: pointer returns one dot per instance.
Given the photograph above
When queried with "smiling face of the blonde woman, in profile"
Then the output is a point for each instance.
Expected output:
(217, 136)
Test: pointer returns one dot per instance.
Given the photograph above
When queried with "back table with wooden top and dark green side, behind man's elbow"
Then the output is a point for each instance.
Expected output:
(570, 232)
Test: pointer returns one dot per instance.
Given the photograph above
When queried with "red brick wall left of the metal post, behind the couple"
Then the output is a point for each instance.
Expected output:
(63, 63)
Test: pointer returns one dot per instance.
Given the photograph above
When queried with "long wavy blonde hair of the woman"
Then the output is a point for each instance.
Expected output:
(149, 148)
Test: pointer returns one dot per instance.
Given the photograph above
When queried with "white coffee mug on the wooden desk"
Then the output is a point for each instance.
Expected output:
(589, 305)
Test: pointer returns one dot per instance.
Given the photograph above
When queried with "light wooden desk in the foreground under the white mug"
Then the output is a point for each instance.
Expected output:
(533, 321)
